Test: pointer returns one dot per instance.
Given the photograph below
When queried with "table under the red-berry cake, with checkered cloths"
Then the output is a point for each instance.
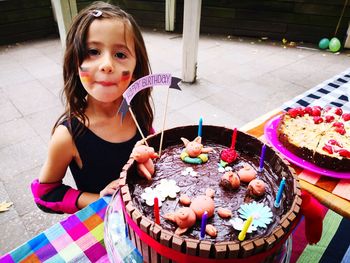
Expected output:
(334, 193)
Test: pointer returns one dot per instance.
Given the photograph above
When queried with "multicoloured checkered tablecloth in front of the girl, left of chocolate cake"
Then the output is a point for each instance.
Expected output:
(79, 238)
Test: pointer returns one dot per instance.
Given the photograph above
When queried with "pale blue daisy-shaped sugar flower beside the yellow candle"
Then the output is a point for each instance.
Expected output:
(262, 215)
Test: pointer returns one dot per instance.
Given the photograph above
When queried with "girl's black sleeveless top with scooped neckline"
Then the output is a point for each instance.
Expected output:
(102, 160)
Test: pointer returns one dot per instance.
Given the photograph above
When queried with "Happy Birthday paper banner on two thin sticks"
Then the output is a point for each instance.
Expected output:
(161, 79)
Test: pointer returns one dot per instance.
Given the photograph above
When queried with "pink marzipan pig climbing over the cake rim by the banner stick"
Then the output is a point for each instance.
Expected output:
(143, 155)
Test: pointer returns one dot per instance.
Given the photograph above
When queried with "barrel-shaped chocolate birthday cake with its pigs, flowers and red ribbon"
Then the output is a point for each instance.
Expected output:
(234, 204)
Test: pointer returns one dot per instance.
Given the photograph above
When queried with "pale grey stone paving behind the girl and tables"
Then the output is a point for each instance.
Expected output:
(238, 80)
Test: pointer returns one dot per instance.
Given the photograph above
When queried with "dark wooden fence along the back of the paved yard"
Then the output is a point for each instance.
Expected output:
(295, 20)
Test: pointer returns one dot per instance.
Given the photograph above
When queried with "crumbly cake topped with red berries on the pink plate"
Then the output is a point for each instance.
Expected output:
(318, 135)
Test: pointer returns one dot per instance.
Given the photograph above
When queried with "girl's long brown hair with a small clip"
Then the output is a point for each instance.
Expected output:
(75, 53)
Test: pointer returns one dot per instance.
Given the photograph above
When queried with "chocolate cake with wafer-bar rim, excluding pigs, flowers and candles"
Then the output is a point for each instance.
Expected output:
(226, 243)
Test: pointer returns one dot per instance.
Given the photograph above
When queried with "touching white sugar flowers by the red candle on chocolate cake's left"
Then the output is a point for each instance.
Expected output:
(166, 188)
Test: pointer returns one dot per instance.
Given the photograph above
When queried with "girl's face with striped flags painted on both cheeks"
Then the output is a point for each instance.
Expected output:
(107, 70)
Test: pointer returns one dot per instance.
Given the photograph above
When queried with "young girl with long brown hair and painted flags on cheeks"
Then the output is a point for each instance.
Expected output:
(105, 53)
